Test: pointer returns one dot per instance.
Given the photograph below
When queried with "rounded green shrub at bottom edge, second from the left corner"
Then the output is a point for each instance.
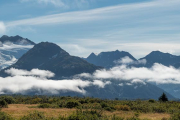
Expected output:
(34, 116)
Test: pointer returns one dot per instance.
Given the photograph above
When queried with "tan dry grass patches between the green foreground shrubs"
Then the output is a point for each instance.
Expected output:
(19, 110)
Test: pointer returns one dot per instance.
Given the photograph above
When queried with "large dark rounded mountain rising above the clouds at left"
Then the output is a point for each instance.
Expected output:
(49, 56)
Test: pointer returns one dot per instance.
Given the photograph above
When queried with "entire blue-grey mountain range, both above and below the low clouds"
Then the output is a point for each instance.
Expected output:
(49, 56)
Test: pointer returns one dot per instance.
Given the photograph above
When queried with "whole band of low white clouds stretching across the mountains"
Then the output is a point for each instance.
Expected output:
(22, 81)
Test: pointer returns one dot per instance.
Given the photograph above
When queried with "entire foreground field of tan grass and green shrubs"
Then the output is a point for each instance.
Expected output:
(74, 108)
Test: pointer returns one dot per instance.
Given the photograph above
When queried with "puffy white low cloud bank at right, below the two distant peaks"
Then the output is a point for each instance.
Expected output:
(159, 74)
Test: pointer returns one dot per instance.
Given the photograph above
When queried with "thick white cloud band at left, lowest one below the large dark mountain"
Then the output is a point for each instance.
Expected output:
(21, 84)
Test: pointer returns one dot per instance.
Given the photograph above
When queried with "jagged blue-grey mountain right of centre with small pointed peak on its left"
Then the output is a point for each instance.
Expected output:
(108, 59)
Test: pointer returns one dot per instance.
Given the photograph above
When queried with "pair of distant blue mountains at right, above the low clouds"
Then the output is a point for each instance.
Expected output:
(108, 59)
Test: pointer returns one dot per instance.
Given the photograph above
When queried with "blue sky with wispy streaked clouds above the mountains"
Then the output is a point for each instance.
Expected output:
(84, 26)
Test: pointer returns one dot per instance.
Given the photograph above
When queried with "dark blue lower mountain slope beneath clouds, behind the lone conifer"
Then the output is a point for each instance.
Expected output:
(127, 91)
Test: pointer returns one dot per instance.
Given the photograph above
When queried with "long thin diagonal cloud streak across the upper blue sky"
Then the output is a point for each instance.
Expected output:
(95, 14)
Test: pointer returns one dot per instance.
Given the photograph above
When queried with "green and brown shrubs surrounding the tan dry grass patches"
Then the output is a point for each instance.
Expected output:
(91, 108)
